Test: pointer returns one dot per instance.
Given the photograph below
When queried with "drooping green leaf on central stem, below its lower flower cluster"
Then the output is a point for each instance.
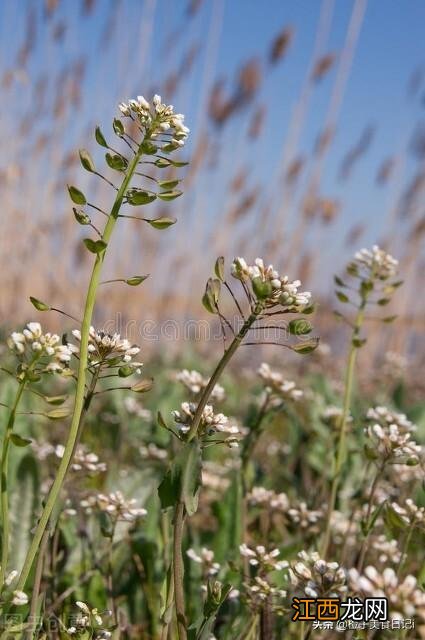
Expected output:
(183, 480)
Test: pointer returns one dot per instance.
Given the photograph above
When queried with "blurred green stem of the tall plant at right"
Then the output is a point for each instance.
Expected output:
(340, 452)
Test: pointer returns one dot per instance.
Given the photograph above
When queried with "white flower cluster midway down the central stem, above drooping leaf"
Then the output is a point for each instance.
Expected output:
(210, 422)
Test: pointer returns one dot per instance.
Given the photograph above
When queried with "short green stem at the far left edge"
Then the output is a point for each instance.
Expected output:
(3, 480)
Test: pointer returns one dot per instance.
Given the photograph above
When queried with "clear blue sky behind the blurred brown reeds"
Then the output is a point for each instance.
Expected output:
(137, 58)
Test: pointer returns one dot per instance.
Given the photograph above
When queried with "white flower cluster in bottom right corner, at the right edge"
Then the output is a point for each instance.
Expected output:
(405, 599)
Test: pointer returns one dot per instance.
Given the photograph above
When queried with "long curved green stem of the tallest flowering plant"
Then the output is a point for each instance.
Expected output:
(81, 375)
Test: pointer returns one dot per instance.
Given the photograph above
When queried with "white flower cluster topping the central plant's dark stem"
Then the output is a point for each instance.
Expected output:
(275, 289)
